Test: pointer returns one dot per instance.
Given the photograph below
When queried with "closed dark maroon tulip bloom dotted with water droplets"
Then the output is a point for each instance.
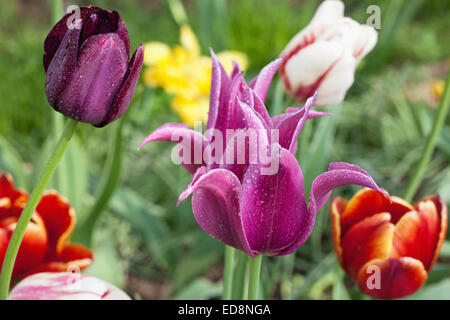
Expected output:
(89, 75)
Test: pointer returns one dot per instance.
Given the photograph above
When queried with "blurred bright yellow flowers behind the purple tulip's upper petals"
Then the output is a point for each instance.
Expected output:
(185, 73)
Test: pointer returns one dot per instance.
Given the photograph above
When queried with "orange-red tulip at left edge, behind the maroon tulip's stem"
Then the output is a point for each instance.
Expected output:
(45, 244)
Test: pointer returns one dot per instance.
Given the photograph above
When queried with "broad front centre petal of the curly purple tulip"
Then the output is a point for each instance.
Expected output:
(274, 207)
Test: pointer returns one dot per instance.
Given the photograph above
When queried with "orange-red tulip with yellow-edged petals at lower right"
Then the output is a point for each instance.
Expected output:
(386, 247)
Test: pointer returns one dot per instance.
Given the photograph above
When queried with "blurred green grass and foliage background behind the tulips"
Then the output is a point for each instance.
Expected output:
(381, 126)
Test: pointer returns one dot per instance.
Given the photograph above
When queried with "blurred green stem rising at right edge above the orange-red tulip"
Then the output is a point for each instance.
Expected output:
(439, 121)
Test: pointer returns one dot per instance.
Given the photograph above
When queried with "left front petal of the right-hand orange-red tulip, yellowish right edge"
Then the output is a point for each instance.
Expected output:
(369, 239)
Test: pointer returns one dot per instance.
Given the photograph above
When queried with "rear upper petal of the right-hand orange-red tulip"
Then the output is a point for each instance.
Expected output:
(367, 202)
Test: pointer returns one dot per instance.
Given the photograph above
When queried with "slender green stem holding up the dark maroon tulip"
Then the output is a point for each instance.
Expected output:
(17, 236)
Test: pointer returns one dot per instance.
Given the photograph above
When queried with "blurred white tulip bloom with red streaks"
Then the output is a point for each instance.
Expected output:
(324, 55)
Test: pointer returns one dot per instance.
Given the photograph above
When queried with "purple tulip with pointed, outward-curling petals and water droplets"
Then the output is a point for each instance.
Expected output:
(239, 204)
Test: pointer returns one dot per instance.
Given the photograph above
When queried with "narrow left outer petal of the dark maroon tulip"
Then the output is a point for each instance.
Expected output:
(61, 69)
